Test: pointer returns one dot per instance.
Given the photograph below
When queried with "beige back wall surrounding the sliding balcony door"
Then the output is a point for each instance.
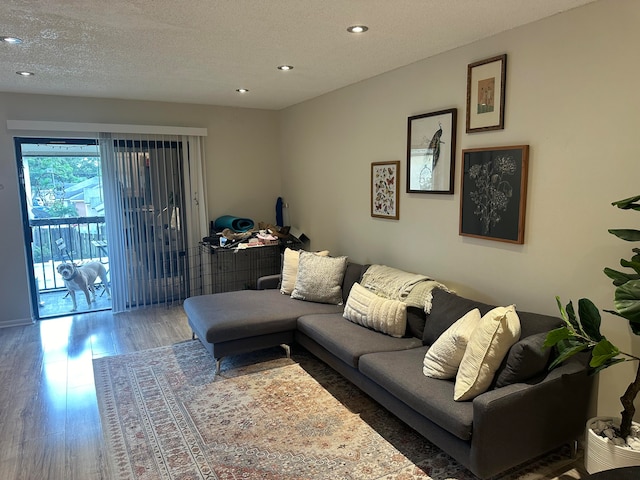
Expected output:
(242, 153)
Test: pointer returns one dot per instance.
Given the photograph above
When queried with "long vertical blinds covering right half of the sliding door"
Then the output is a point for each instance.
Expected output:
(155, 211)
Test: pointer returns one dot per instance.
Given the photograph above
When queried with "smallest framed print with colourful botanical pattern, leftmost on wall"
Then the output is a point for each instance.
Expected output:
(384, 189)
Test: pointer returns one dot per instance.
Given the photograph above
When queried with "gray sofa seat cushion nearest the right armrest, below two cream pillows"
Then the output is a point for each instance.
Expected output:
(400, 373)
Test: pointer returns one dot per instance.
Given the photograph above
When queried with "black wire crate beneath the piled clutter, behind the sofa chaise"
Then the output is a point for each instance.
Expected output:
(226, 270)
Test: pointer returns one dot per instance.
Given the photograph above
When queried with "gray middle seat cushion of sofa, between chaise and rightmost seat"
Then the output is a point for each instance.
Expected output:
(347, 340)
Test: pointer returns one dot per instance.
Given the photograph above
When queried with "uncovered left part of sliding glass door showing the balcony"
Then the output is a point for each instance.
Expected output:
(63, 212)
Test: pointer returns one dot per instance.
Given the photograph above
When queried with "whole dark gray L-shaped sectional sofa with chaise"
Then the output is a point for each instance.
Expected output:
(527, 412)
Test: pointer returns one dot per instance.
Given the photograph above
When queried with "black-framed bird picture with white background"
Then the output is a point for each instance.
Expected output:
(431, 147)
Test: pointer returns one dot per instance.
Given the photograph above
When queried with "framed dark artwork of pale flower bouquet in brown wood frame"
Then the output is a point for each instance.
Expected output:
(494, 193)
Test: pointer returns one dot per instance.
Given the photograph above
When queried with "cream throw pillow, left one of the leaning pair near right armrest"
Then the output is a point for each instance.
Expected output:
(444, 356)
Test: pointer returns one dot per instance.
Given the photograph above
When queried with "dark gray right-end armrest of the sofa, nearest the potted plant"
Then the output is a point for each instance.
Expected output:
(521, 421)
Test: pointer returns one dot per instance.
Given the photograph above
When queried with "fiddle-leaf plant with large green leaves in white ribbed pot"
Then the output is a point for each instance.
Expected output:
(581, 331)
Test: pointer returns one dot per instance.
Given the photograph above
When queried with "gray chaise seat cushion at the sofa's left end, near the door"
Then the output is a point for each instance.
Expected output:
(246, 313)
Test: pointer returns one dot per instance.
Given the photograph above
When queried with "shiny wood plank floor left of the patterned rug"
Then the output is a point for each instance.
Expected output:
(49, 420)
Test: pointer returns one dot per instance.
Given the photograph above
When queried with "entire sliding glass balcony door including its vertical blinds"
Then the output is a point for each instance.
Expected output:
(135, 203)
